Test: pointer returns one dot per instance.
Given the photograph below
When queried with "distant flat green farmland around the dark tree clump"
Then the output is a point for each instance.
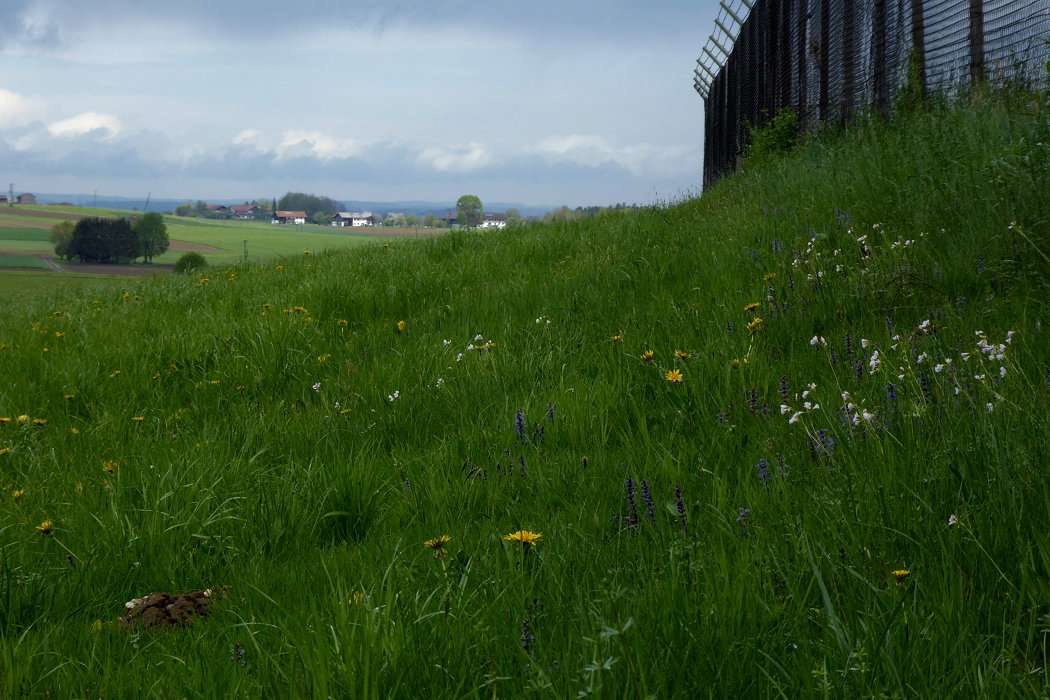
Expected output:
(26, 234)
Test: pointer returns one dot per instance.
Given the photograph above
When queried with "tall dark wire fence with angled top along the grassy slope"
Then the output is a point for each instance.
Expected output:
(830, 59)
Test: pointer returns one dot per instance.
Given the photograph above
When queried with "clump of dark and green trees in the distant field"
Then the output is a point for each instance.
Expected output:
(99, 240)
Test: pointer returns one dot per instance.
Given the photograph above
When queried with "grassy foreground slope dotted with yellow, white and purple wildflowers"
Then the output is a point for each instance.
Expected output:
(785, 440)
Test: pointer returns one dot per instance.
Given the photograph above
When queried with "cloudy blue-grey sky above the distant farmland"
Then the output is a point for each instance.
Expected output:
(543, 103)
